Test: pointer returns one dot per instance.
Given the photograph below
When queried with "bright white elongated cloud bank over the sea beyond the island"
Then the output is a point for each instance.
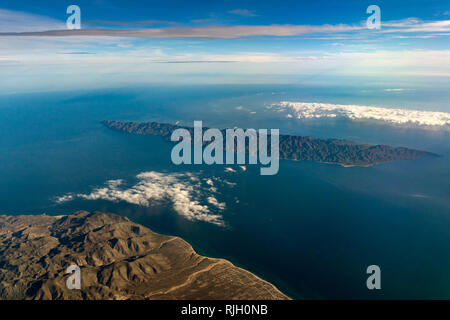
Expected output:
(312, 110)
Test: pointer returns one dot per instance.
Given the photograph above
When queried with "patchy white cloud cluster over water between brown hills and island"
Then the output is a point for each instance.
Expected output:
(191, 196)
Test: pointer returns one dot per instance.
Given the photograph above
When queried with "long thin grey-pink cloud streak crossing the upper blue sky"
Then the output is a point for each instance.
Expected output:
(226, 32)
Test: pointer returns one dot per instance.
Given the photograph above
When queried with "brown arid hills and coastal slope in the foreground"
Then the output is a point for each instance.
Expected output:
(118, 259)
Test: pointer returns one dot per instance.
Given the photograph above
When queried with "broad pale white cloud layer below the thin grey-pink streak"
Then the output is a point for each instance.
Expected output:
(31, 51)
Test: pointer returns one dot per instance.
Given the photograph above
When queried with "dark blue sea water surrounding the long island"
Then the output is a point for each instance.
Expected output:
(312, 229)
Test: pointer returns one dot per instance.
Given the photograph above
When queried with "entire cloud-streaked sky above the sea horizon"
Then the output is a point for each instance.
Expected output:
(138, 42)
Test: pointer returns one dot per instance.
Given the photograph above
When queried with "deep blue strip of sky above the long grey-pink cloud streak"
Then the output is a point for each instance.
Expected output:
(260, 12)
